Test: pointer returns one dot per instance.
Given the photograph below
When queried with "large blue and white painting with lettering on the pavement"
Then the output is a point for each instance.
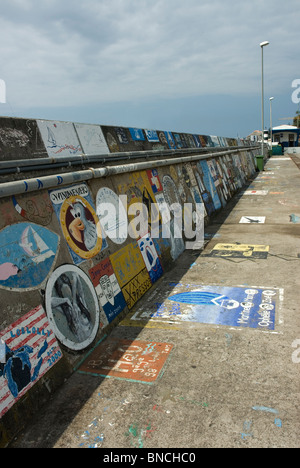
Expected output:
(232, 306)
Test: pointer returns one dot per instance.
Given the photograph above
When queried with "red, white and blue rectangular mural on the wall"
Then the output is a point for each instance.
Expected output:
(108, 290)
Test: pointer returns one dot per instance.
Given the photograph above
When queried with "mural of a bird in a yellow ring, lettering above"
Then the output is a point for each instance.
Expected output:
(79, 222)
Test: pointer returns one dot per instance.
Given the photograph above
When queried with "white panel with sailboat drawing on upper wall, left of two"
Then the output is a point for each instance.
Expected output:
(60, 138)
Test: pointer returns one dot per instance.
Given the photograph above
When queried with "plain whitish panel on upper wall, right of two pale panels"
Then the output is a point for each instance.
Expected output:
(91, 138)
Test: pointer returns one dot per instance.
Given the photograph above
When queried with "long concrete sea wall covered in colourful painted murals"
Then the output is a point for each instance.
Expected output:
(69, 271)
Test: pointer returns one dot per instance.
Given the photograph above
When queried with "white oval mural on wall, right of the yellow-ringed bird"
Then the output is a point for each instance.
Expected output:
(112, 215)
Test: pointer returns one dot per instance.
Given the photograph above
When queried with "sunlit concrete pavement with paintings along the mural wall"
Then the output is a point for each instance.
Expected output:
(180, 375)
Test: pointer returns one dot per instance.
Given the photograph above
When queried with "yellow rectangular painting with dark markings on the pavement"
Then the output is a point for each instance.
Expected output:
(240, 251)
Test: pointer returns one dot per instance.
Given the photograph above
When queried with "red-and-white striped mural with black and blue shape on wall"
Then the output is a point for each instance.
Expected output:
(31, 349)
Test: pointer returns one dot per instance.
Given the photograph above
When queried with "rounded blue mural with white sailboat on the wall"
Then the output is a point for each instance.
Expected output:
(27, 255)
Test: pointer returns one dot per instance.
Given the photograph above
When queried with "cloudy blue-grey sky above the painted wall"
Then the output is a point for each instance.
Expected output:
(189, 66)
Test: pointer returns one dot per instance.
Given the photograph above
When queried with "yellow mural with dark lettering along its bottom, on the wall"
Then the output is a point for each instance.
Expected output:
(131, 273)
